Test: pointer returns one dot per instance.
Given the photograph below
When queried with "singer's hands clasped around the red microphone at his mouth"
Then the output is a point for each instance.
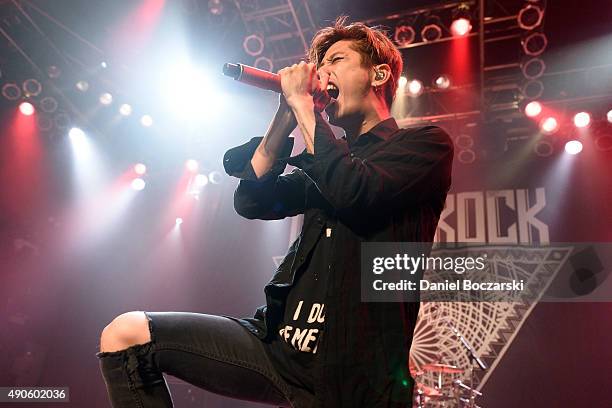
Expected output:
(304, 87)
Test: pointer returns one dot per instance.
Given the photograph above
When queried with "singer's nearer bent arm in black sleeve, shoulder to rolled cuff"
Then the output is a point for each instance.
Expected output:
(413, 166)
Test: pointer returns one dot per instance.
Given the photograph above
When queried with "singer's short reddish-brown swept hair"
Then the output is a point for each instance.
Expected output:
(371, 42)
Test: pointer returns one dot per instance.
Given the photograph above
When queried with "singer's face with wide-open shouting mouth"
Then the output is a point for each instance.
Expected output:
(353, 80)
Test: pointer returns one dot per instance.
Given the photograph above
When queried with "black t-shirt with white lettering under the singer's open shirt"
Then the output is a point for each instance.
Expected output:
(294, 347)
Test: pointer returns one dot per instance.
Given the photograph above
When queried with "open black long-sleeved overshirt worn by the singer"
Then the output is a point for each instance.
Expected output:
(386, 185)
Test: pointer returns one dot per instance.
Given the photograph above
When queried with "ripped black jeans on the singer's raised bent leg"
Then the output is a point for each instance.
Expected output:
(211, 352)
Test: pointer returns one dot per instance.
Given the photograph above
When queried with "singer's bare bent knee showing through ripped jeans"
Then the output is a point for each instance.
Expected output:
(125, 330)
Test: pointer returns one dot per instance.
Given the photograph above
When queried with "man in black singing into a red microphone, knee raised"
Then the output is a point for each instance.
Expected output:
(314, 343)
